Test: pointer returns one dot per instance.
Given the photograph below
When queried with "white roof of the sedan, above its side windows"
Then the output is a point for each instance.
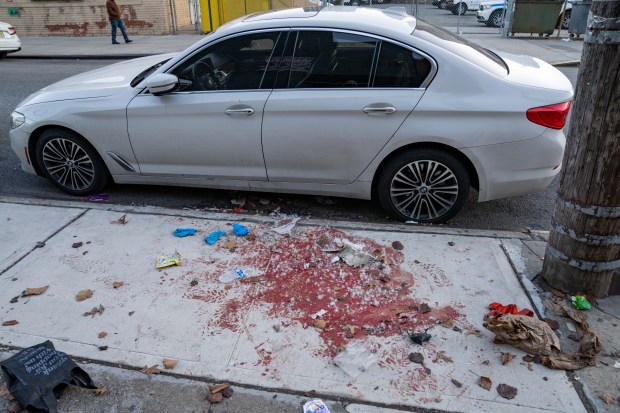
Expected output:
(391, 19)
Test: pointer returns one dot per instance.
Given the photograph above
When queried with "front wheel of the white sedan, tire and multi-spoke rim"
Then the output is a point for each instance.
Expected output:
(70, 162)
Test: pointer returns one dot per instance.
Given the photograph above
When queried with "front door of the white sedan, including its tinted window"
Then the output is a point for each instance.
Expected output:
(211, 126)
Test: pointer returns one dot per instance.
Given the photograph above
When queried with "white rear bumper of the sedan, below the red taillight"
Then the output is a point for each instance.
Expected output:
(518, 168)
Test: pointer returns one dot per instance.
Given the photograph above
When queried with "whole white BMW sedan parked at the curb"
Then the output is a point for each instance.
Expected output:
(340, 101)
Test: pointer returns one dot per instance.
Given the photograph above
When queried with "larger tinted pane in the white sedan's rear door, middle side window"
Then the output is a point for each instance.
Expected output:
(324, 59)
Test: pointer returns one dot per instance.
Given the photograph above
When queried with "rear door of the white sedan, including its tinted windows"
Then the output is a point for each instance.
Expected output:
(338, 98)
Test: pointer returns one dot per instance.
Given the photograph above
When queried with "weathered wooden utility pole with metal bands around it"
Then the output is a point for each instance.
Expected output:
(583, 253)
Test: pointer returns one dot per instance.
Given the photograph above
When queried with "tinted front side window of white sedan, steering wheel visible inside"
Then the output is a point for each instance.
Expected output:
(237, 63)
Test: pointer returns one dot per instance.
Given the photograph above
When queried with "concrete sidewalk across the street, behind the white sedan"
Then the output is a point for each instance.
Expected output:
(552, 50)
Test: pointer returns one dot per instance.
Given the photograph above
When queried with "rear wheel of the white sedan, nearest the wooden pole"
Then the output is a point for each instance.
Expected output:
(406, 191)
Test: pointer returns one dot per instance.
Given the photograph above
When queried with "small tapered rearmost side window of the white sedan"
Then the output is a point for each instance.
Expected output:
(400, 67)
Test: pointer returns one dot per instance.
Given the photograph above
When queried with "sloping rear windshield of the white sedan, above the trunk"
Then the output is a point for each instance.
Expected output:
(480, 56)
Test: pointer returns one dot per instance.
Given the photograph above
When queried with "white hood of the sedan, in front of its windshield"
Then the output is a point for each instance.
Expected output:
(101, 82)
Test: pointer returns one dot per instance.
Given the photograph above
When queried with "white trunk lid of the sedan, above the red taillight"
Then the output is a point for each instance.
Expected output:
(533, 72)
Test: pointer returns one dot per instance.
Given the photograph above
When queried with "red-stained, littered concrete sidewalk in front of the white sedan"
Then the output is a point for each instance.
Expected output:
(259, 333)
